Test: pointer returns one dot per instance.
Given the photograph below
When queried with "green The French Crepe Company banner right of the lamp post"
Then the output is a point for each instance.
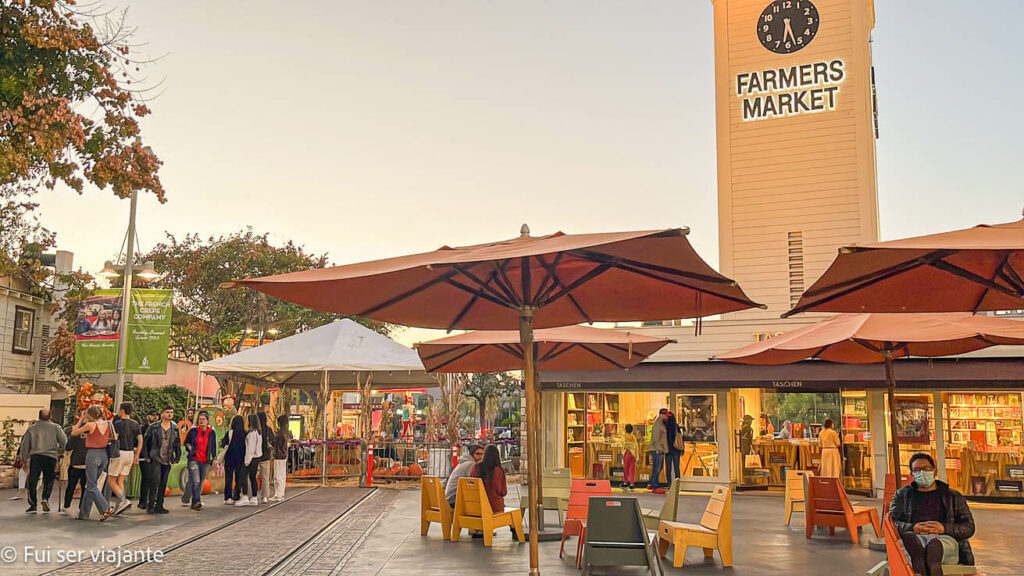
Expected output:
(149, 332)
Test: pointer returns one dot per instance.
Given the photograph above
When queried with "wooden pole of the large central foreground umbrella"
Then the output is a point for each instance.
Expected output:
(533, 429)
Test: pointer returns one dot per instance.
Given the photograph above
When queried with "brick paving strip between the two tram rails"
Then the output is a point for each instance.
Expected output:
(257, 544)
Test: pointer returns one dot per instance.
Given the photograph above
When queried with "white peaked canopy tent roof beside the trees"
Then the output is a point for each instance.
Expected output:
(344, 355)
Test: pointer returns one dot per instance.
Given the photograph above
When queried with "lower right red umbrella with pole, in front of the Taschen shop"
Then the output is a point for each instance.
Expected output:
(866, 339)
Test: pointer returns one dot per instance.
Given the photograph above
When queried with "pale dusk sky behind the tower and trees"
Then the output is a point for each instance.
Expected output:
(370, 130)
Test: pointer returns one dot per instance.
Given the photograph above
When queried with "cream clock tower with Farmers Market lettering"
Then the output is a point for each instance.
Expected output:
(796, 142)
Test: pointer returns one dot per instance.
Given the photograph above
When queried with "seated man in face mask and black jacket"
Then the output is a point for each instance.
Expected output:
(933, 520)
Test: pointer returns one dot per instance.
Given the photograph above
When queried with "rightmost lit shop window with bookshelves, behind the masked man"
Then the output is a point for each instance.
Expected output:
(984, 433)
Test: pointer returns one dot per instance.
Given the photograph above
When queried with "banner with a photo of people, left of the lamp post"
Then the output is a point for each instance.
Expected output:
(97, 334)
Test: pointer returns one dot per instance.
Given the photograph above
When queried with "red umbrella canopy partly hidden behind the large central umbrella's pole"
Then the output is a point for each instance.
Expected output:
(569, 348)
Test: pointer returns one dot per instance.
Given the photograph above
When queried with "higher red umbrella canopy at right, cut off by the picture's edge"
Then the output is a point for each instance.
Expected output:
(973, 270)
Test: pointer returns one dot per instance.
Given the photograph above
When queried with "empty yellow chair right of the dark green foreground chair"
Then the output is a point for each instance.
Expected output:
(714, 532)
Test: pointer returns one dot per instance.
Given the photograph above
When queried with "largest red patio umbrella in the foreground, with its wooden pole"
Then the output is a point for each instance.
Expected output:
(527, 282)
